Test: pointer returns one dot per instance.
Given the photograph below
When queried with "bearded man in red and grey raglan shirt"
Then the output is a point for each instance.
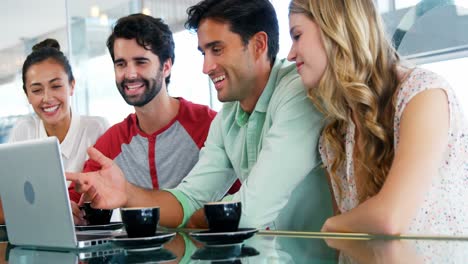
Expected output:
(159, 144)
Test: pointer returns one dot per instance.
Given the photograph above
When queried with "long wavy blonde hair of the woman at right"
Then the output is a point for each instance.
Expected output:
(359, 82)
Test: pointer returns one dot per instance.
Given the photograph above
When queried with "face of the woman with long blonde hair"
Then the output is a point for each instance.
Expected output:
(307, 49)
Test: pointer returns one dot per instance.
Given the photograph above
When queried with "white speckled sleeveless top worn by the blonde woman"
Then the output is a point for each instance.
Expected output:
(445, 207)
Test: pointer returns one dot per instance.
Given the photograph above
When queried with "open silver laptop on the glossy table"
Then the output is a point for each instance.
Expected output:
(35, 198)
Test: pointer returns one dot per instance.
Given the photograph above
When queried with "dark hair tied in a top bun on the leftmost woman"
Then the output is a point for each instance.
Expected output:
(44, 50)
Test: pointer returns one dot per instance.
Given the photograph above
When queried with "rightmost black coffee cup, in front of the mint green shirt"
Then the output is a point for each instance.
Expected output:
(223, 216)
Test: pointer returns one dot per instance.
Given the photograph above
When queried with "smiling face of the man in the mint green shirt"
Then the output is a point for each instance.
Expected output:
(227, 61)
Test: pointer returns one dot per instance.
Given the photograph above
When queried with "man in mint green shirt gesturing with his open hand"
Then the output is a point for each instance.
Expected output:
(266, 133)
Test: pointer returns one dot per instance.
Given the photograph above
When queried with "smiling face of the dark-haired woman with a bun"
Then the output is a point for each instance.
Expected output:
(48, 90)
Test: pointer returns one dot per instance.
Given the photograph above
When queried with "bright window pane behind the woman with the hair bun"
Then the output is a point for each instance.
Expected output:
(16, 42)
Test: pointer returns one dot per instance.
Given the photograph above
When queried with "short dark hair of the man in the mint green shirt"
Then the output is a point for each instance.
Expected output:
(245, 17)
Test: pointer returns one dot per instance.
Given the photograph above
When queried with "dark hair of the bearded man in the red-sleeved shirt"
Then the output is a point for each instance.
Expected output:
(149, 32)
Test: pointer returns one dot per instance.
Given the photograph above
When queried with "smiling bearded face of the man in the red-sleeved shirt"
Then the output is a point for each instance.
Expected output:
(138, 74)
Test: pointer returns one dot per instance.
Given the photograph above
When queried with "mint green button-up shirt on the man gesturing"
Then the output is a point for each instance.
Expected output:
(273, 151)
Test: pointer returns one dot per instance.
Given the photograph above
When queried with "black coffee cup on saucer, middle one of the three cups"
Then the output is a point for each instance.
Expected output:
(140, 221)
